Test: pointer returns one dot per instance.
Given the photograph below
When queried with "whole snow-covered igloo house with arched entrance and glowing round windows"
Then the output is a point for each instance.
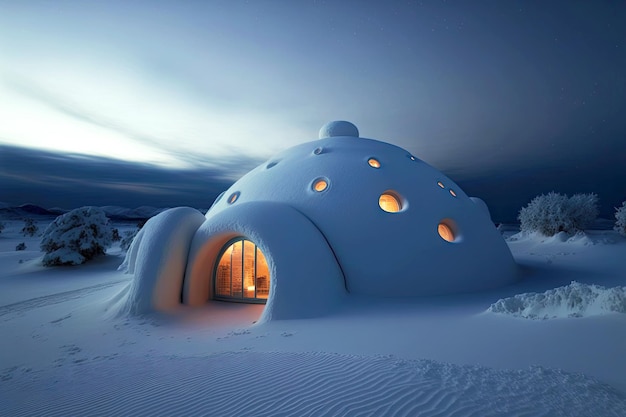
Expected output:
(337, 217)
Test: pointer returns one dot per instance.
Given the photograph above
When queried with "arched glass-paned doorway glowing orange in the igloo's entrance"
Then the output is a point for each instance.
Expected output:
(242, 273)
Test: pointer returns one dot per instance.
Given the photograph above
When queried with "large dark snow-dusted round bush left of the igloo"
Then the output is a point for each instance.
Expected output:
(76, 237)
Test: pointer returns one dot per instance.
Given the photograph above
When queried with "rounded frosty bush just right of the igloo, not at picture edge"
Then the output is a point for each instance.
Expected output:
(552, 213)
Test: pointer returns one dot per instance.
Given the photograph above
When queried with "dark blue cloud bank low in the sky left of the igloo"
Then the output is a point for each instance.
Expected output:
(59, 180)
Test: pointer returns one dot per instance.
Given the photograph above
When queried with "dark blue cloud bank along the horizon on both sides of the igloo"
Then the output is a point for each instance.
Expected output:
(60, 180)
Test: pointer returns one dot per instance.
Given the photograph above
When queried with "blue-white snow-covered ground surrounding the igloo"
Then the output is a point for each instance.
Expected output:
(62, 353)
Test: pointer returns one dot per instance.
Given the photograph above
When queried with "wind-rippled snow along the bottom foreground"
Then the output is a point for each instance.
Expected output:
(304, 384)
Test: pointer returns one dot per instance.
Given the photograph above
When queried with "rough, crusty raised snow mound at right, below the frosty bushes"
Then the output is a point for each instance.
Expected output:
(573, 300)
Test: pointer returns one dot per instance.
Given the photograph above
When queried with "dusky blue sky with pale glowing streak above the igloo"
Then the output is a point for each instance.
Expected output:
(165, 103)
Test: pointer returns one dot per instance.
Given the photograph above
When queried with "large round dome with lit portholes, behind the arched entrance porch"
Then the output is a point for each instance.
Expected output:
(396, 225)
